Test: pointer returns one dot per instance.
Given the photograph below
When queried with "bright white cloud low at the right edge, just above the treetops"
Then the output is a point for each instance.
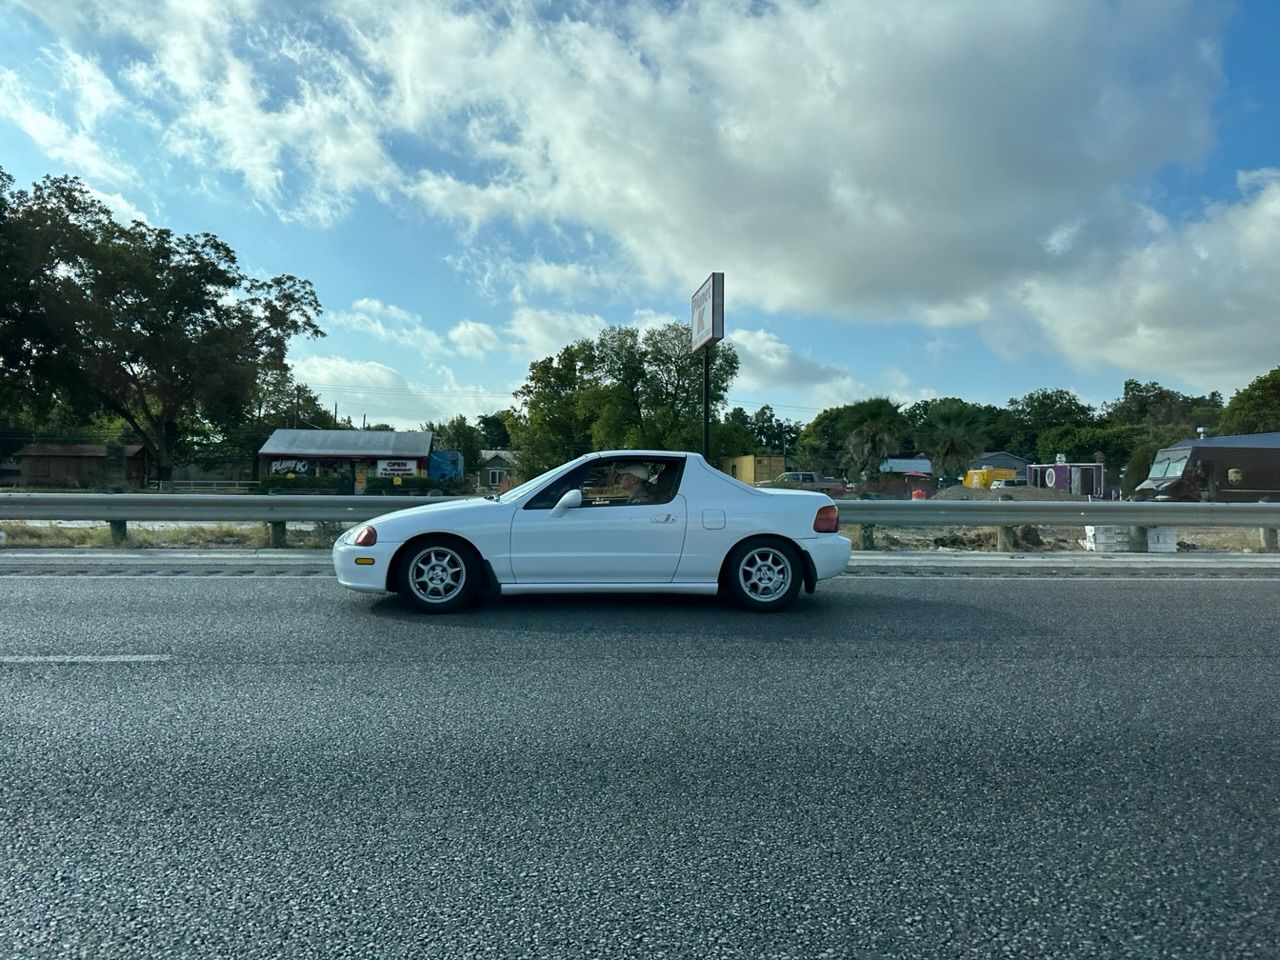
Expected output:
(1201, 300)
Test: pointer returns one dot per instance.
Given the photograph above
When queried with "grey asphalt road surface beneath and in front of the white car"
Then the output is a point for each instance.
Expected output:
(268, 766)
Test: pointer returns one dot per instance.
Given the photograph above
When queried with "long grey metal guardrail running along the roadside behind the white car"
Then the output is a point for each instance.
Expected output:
(354, 510)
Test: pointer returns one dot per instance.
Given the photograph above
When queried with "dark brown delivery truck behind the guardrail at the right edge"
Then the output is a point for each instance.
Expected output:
(1219, 469)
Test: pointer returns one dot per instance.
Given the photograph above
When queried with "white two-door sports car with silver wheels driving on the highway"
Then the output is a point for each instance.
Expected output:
(621, 522)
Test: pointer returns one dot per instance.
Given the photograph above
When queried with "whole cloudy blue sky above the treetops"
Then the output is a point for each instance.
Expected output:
(915, 199)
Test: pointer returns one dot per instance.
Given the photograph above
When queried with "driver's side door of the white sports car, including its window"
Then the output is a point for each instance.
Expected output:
(610, 538)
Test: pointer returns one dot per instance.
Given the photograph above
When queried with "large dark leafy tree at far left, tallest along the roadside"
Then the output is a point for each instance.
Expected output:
(156, 328)
